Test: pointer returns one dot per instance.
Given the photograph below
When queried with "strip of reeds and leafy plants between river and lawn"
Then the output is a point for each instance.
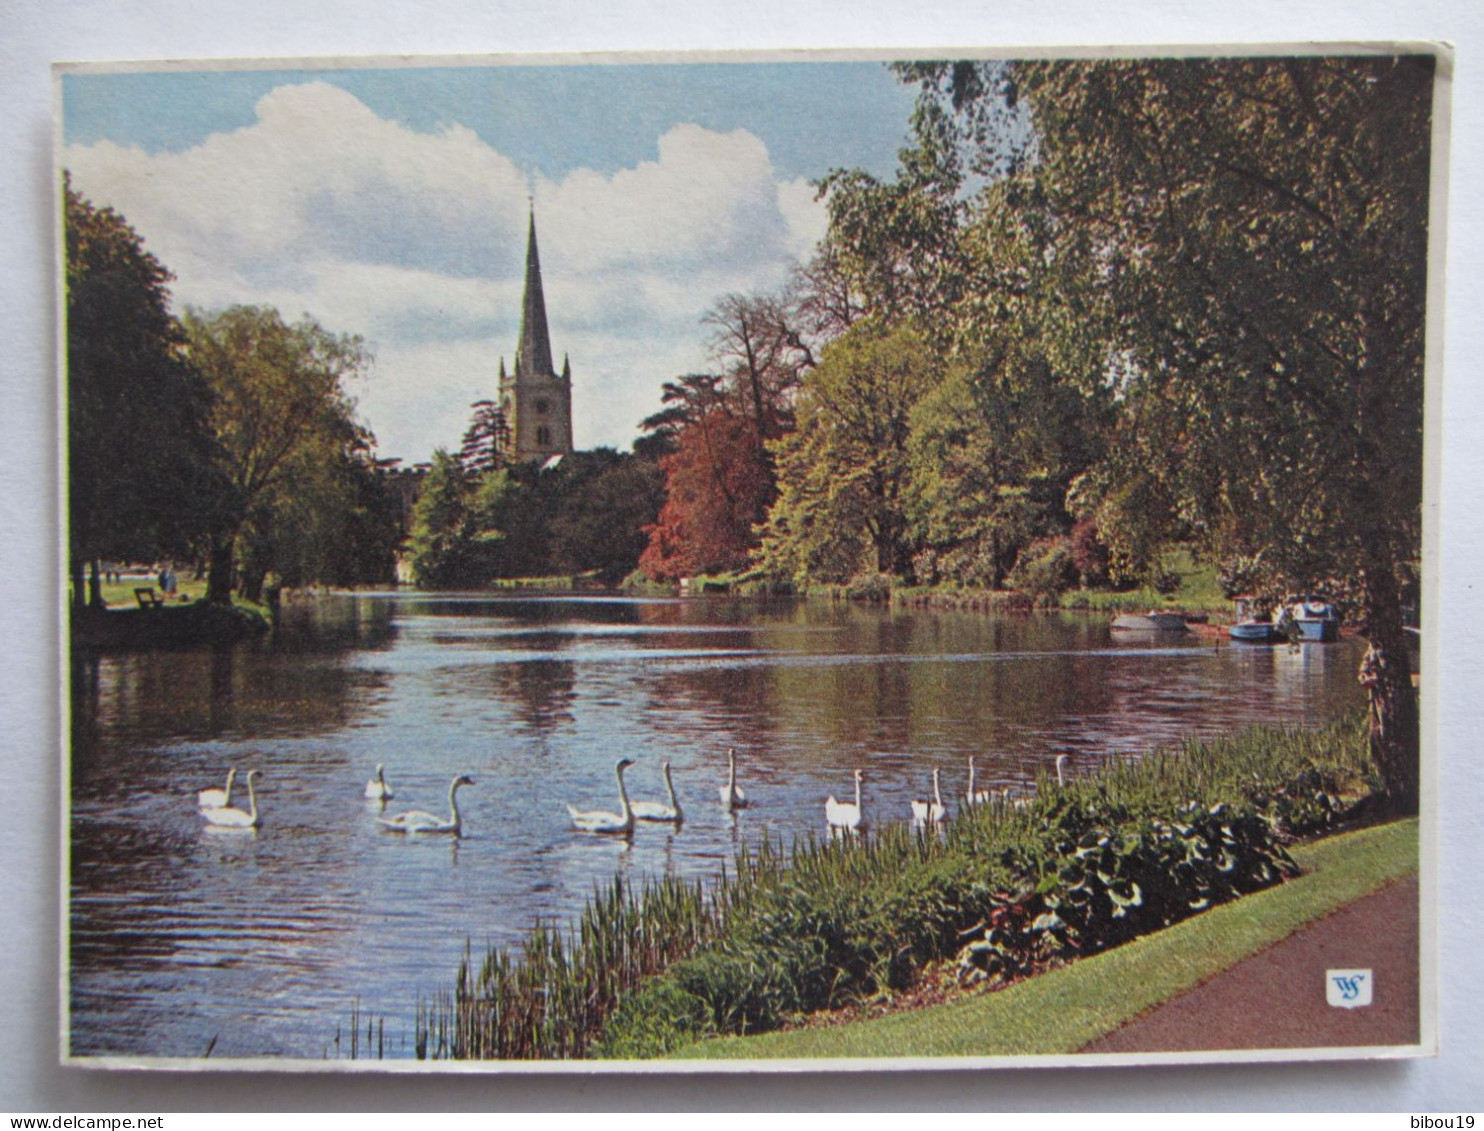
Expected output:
(1005, 893)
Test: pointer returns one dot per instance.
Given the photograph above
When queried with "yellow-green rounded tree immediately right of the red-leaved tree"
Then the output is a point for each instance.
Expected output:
(844, 473)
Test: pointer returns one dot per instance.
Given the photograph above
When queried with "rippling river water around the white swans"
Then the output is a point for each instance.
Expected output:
(186, 939)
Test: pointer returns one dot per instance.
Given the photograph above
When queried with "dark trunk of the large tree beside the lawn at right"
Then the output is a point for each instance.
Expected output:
(1387, 676)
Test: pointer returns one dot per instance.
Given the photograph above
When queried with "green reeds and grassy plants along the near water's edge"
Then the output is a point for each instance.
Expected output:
(836, 921)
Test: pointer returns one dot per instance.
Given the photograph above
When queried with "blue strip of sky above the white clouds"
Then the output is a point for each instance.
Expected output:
(812, 117)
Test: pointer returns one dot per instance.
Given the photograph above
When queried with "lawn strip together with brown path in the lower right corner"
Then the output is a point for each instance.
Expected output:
(1259, 977)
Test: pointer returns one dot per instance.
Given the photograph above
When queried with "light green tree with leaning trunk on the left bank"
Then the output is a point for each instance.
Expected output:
(286, 431)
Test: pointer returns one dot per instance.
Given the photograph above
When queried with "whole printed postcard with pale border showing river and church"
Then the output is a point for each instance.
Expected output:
(749, 562)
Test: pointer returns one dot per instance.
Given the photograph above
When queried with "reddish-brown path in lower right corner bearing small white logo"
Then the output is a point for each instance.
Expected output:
(1277, 998)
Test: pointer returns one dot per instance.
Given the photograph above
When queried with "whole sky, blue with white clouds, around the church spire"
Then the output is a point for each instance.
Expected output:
(393, 203)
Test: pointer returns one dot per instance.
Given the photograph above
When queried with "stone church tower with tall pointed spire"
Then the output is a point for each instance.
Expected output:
(535, 399)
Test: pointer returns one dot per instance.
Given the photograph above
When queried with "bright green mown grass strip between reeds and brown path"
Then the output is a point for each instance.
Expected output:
(1065, 1010)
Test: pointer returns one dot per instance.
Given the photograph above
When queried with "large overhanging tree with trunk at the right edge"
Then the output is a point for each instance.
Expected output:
(1255, 232)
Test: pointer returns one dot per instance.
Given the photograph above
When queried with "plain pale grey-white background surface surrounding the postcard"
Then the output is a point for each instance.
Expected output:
(35, 33)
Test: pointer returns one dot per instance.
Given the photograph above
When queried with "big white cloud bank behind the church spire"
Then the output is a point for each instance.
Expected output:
(418, 243)
